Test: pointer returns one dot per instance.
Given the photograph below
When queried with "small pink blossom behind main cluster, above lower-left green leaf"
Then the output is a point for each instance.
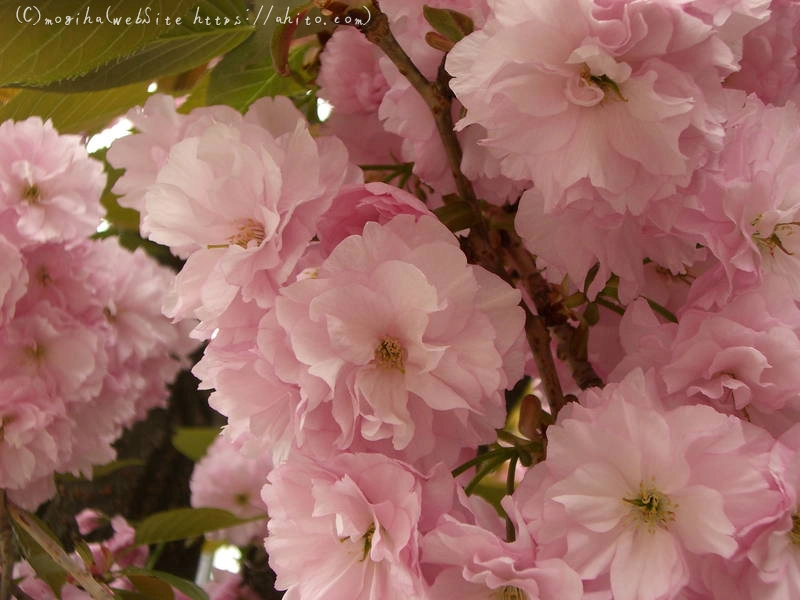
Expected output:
(224, 478)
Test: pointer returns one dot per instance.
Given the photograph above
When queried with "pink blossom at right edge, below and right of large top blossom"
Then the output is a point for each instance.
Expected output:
(746, 206)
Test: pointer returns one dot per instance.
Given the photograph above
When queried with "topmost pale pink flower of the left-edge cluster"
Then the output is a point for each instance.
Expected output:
(49, 186)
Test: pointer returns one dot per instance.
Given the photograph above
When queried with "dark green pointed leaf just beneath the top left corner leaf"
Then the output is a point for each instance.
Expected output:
(179, 50)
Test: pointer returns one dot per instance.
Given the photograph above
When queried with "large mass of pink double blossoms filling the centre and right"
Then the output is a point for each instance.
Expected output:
(649, 150)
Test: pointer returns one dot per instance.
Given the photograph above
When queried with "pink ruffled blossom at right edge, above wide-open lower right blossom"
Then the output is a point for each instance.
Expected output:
(741, 359)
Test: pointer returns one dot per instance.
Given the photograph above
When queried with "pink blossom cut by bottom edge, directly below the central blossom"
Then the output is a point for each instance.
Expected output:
(349, 528)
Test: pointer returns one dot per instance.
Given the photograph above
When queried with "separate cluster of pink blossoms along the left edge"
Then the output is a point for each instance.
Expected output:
(84, 349)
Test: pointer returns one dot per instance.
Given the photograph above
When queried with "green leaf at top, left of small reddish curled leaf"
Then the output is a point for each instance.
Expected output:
(246, 73)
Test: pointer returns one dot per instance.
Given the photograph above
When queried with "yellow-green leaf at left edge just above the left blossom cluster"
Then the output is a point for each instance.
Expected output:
(85, 112)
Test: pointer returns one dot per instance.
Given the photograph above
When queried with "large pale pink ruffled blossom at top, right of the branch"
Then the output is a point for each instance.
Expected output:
(593, 97)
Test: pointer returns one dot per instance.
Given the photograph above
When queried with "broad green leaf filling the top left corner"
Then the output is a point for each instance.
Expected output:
(35, 52)
